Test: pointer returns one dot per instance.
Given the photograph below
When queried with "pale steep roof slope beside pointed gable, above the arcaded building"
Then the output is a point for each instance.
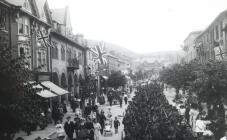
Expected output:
(58, 15)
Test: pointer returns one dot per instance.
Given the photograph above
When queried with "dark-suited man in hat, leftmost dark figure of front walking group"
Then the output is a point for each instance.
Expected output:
(69, 128)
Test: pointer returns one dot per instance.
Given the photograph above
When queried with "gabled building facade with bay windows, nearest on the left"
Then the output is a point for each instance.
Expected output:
(27, 19)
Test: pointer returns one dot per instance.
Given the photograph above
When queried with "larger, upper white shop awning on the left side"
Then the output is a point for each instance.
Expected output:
(54, 88)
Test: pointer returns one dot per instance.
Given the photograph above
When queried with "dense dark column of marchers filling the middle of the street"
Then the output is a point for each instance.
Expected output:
(149, 116)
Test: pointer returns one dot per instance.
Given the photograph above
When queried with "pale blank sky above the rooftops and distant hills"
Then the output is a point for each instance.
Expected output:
(142, 26)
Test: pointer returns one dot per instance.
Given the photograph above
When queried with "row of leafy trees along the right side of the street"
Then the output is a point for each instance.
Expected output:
(208, 81)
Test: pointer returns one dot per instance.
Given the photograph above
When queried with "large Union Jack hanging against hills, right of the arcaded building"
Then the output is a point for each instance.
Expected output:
(100, 53)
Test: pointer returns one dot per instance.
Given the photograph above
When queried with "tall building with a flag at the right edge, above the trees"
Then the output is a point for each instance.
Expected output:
(211, 43)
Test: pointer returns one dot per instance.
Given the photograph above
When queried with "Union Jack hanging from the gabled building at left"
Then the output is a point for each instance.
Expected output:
(43, 39)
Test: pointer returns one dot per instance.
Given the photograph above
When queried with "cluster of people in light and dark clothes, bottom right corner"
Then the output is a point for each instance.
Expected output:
(205, 123)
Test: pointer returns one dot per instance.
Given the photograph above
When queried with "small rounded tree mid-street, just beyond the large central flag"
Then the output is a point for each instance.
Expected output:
(116, 79)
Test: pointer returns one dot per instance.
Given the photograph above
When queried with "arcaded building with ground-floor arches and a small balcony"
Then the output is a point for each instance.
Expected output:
(68, 56)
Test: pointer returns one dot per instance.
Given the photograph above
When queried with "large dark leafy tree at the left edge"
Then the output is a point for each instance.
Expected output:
(16, 96)
